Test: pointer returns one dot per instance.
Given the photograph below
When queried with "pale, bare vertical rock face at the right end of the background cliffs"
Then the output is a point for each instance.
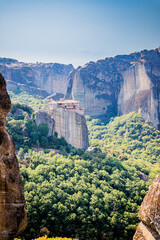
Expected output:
(137, 92)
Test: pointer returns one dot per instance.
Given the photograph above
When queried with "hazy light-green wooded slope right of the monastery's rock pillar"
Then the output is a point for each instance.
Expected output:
(134, 141)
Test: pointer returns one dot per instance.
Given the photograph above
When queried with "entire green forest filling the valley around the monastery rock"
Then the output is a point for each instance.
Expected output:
(80, 194)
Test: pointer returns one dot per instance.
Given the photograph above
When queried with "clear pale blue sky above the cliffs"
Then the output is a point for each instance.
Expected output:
(77, 31)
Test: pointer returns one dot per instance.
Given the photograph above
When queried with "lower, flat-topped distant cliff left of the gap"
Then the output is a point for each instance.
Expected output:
(52, 77)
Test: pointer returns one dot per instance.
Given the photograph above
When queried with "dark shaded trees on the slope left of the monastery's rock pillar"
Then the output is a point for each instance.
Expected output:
(26, 135)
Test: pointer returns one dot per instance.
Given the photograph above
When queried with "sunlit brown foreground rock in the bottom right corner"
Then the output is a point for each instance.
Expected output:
(149, 214)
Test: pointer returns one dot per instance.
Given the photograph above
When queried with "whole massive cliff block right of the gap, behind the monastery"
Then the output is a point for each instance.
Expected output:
(119, 85)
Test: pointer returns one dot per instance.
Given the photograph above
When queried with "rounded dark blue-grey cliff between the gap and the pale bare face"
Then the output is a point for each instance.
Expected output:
(96, 87)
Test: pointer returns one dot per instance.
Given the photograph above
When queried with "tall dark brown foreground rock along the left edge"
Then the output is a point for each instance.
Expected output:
(13, 218)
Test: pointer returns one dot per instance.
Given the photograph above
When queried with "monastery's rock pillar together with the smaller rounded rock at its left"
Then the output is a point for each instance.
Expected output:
(68, 124)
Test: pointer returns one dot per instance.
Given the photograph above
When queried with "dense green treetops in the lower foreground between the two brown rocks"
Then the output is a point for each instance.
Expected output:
(89, 196)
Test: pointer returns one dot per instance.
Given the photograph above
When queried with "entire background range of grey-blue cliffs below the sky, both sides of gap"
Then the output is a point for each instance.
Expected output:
(112, 86)
